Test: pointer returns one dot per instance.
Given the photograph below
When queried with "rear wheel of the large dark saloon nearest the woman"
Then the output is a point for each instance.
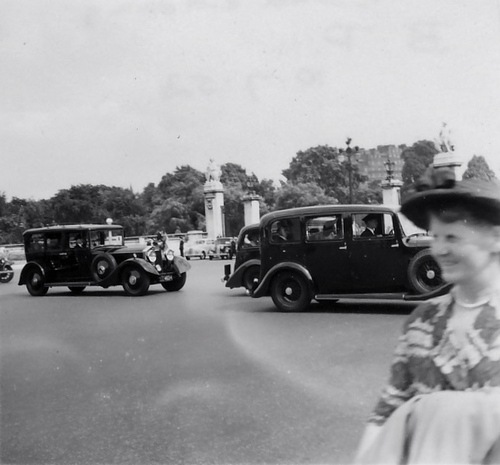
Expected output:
(290, 292)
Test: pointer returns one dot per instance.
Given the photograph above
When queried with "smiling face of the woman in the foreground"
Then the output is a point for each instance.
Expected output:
(465, 251)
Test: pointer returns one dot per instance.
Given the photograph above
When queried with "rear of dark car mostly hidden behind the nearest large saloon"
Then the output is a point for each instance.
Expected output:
(247, 263)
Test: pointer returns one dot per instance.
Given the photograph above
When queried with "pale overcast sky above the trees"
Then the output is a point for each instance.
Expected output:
(120, 92)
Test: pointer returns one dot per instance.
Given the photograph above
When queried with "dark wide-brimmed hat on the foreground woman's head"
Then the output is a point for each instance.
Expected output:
(438, 190)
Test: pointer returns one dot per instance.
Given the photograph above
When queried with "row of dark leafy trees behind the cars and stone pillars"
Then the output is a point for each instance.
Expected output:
(315, 176)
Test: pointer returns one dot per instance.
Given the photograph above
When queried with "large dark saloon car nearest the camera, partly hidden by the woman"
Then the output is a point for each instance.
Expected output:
(343, 251)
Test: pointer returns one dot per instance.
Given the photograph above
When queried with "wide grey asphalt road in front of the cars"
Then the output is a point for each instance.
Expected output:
(206, 375)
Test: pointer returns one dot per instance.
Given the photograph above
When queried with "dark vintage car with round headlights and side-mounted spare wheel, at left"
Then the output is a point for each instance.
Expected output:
(84, 255)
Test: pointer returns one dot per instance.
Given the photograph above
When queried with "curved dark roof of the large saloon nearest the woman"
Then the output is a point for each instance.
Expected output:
(325, 209)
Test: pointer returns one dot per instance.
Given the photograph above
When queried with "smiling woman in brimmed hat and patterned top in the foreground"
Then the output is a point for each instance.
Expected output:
(442, 402)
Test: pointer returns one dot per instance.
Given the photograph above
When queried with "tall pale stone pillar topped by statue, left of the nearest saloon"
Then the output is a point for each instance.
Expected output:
(214, 201)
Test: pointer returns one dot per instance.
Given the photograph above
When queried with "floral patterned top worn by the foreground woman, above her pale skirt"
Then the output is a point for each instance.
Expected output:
(428, 357)
